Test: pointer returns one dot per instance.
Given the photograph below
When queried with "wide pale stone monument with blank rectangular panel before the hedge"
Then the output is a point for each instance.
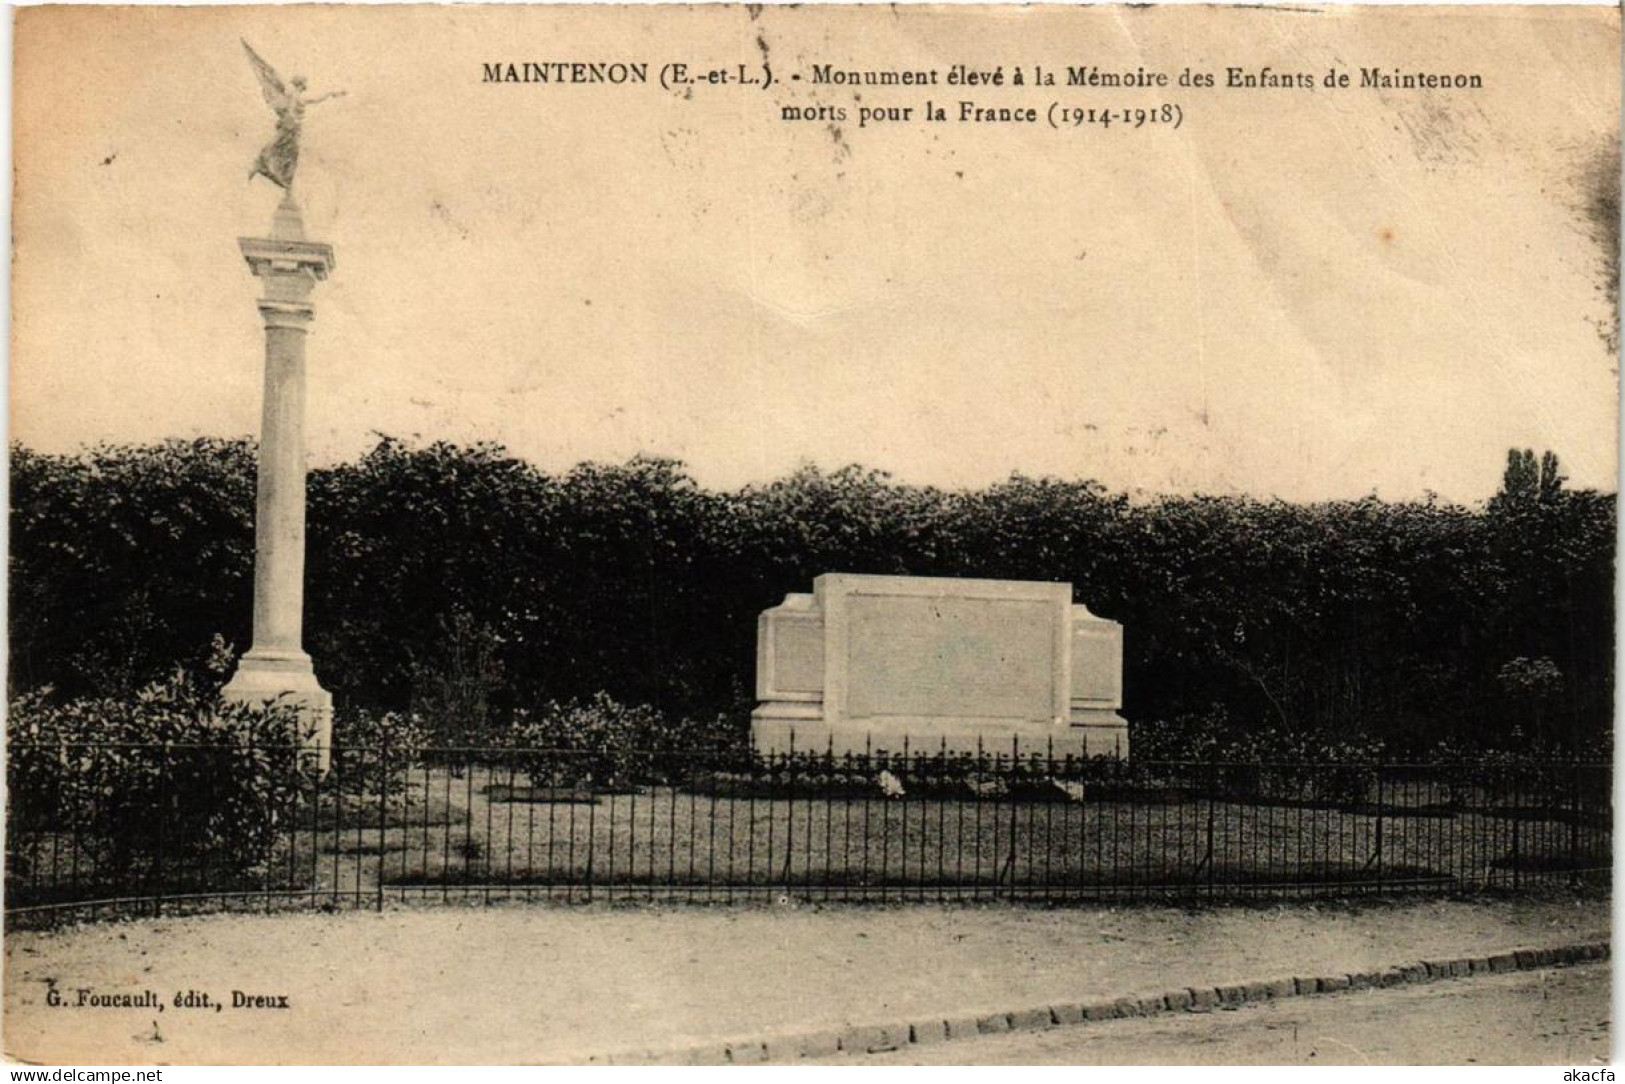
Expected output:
(867, 661)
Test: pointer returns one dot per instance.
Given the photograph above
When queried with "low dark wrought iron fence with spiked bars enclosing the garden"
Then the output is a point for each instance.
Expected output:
(100, 828)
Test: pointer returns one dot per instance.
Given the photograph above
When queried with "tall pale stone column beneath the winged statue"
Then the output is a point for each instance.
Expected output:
(277, 666)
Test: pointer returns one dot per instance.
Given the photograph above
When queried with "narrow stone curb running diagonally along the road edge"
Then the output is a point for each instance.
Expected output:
(882, 1038)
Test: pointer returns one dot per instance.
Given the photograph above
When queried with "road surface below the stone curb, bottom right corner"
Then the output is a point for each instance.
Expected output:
(1527, 1018)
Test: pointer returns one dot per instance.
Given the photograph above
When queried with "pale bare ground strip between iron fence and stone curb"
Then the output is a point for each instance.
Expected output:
(557, 984)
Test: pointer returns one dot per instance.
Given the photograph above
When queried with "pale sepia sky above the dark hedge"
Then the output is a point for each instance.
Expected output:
(1302, 295)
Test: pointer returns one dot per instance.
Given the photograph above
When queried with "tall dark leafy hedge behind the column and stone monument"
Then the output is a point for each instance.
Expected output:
(466, 579)
